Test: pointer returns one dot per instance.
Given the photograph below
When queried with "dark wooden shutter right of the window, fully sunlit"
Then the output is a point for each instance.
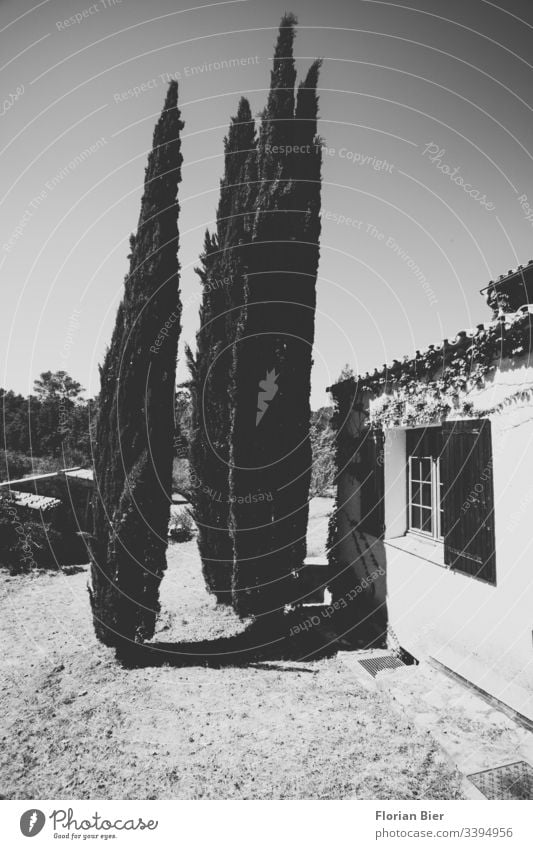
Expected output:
(468, 498)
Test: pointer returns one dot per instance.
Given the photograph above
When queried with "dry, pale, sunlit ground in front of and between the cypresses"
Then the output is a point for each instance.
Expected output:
(75, 724)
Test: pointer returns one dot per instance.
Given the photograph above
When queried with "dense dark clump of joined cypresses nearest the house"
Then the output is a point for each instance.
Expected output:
(251, 466)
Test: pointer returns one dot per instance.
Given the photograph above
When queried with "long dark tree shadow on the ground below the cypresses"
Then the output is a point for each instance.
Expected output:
(302, 637)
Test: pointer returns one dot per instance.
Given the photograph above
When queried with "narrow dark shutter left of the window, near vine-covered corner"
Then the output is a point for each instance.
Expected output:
(373, 483)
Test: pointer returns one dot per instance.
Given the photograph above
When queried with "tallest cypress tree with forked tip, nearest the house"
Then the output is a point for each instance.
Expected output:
(270, 446)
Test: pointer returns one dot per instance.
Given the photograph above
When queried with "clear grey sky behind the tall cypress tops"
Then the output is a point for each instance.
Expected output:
(413, 96)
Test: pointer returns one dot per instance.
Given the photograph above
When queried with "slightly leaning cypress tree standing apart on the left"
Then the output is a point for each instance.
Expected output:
(134, 435)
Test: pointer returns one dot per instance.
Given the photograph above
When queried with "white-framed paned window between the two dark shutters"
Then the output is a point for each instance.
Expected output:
(425, 514)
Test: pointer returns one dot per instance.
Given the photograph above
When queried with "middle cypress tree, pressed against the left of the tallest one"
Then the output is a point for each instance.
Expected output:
(222, 278)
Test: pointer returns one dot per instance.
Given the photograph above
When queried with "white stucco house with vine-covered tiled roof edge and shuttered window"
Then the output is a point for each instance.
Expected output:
(435, 484)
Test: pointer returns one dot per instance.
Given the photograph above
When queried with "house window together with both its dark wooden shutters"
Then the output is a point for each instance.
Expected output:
(450, 496)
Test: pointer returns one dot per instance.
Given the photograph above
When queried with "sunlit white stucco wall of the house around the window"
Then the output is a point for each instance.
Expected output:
(482, 632)
